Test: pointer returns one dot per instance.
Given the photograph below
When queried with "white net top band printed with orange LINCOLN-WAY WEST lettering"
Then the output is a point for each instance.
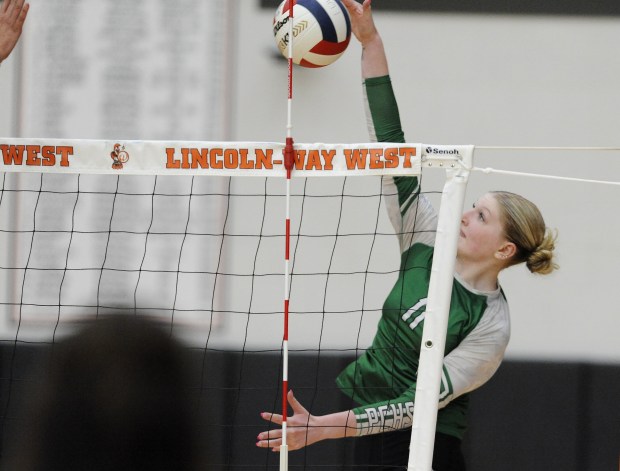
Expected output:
(263, 159)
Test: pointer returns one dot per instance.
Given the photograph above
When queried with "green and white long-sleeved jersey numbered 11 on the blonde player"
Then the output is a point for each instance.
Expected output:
(384, 378)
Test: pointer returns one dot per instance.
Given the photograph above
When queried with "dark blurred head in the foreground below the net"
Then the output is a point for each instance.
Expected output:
(117, 398)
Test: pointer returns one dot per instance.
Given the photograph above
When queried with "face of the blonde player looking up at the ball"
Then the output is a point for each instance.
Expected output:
(481, 233)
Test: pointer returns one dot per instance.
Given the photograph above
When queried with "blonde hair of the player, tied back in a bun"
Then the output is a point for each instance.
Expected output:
(525, 227)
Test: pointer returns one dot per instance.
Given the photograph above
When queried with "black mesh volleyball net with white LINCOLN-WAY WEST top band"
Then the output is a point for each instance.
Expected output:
(193, 234)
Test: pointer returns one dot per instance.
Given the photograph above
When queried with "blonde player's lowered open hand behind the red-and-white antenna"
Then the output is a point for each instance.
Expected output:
(302, 428)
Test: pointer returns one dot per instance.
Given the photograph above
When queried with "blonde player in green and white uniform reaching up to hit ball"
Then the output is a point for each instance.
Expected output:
(501, 230)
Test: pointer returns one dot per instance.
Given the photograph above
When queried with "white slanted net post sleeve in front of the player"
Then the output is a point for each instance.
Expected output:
(437, 309)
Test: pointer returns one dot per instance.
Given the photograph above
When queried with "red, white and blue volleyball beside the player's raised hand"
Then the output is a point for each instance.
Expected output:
(321, 31)
